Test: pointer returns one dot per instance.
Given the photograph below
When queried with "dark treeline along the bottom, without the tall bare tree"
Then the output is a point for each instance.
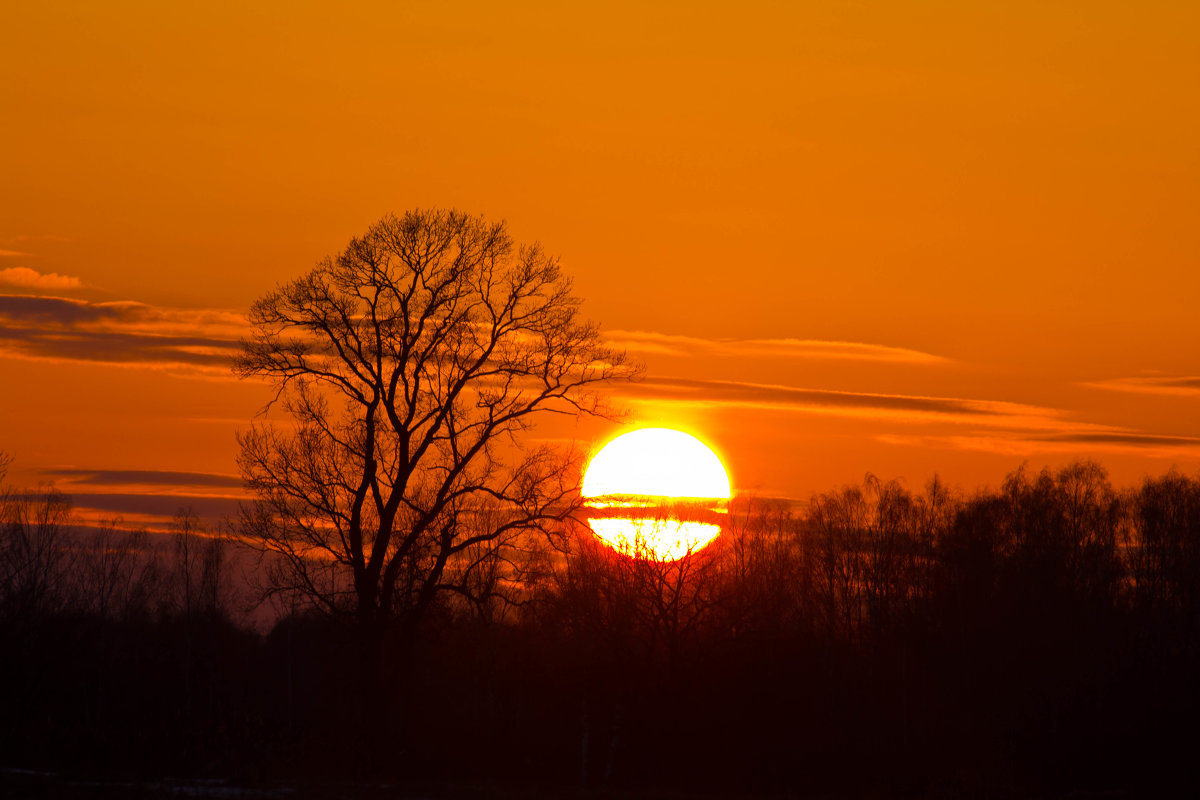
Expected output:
(1036, 637)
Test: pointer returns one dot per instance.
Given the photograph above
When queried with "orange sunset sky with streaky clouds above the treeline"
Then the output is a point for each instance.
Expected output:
(898, 238)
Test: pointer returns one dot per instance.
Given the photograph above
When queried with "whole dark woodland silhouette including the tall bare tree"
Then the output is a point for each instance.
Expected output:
(434, 607)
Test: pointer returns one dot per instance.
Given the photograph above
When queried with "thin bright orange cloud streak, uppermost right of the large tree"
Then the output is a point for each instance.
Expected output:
(650, 342)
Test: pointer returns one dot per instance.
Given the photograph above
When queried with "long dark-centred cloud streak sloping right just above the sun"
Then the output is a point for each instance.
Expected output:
(715, 394)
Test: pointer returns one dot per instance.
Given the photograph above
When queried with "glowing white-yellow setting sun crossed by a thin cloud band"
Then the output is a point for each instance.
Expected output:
(657, 494)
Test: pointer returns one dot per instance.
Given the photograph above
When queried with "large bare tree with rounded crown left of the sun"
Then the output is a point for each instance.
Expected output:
(413, 366)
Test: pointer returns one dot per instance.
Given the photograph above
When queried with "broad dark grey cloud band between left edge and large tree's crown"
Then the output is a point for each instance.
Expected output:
(128, 334)
